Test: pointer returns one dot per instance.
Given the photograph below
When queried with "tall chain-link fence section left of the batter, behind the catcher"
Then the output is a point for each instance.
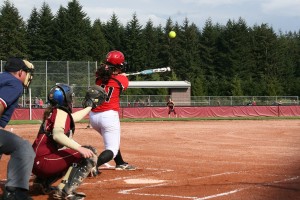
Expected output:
(79, 75)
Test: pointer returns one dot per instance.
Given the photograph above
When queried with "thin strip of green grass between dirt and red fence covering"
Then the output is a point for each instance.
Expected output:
(16, 122)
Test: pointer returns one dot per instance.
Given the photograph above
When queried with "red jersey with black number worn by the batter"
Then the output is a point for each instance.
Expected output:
(115, 86)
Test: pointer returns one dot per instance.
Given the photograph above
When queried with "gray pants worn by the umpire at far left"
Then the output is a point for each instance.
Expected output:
(21, 159)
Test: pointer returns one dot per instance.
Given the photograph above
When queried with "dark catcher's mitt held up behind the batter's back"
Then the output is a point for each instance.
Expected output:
(94, 97)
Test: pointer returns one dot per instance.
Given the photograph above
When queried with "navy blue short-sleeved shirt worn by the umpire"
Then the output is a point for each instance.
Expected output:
(10, 90)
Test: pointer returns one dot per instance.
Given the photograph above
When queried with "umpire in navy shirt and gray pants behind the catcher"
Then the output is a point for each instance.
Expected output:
(17, 75)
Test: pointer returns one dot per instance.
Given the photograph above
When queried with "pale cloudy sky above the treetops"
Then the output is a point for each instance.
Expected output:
(282, 15)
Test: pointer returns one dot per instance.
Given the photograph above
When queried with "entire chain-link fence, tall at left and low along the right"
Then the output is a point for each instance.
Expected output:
(81, 75)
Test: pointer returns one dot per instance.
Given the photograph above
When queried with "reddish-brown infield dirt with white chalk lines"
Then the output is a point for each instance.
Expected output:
(217, 159)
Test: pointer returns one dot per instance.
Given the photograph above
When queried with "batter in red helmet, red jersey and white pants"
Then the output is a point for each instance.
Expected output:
(105, 118)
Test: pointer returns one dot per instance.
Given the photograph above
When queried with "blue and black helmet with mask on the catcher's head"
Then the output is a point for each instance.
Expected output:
(61, 95)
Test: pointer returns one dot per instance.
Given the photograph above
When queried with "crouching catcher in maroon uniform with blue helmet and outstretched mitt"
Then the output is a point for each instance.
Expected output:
(57, 155)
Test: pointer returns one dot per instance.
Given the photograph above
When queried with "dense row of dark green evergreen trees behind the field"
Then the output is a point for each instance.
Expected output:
(219, 60)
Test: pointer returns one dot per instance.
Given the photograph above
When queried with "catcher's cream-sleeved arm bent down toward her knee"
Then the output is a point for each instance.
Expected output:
(58, 131)
